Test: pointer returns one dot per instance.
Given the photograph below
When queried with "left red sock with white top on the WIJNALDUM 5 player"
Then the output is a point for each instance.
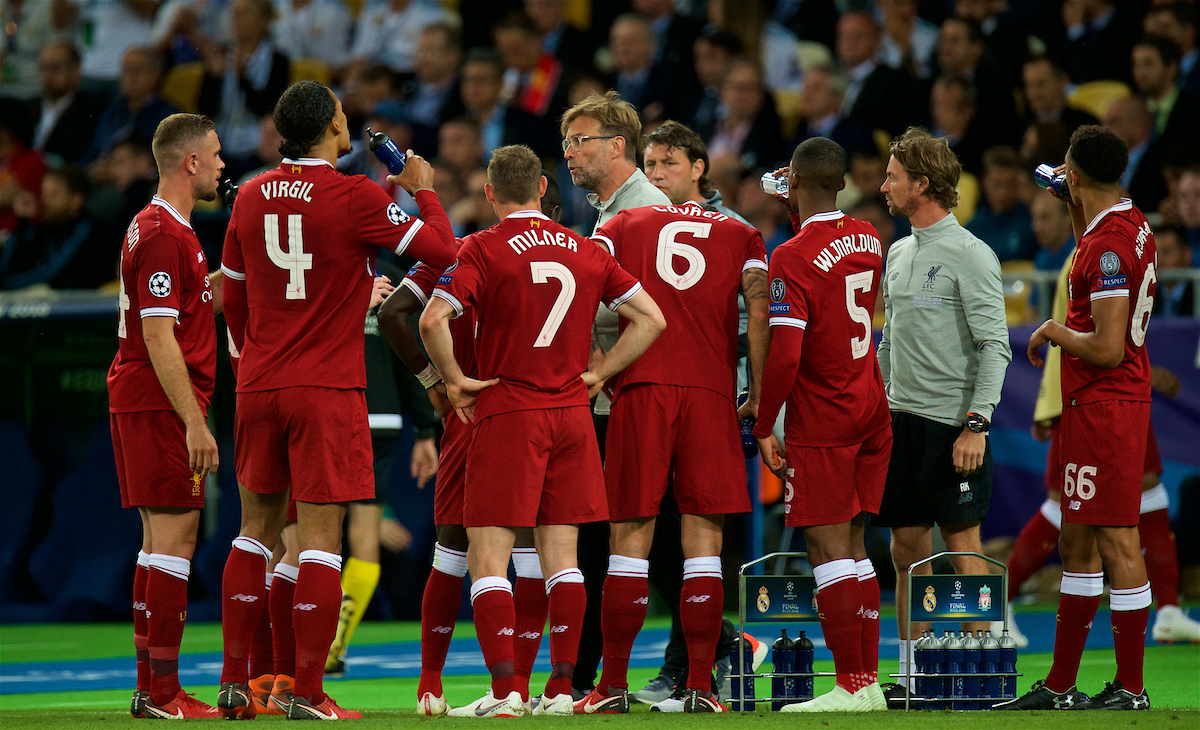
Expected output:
(841, 605)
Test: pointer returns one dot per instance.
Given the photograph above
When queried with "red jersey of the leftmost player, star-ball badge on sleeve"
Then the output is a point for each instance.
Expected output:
(164, 274)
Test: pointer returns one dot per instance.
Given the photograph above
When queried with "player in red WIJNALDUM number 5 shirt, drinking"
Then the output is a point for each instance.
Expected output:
(837, 428)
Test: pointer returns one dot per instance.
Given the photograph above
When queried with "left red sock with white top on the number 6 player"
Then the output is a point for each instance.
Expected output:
(627, 594)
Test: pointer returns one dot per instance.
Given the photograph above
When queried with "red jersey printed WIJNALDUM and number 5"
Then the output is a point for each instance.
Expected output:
(824, 282)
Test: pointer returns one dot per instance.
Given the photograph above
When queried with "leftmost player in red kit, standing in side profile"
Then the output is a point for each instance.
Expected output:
(159, 391)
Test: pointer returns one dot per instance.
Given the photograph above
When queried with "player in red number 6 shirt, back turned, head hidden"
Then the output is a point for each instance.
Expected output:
(675, 421)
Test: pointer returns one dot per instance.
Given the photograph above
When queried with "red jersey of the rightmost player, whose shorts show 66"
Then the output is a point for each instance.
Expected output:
(1117, 258)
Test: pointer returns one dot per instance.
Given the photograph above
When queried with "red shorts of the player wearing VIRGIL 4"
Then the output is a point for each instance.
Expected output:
(316, 440)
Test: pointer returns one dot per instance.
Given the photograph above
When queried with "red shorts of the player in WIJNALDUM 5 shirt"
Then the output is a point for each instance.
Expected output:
(831, 486)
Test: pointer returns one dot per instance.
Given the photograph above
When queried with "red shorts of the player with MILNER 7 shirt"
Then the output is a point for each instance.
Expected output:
(535, 468)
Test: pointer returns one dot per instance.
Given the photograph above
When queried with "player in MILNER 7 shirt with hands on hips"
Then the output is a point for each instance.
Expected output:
(533, 459)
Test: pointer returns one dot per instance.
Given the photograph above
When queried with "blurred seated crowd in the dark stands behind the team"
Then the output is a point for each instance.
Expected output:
(83, 85)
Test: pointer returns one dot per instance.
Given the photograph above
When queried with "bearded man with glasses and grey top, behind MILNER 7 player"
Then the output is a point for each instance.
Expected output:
(602, 137)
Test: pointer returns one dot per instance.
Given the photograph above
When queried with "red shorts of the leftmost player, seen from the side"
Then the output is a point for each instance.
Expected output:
(152, 460)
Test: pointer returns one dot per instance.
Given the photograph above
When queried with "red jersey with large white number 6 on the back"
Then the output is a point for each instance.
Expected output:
(691, 260)
